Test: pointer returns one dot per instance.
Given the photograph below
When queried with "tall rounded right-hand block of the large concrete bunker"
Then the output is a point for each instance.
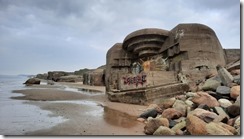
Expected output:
(194, 50)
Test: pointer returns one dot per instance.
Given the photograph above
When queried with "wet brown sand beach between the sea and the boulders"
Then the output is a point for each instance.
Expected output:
(86, 113)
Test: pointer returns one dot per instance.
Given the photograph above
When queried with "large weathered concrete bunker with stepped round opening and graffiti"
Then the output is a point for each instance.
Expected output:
(153, 63)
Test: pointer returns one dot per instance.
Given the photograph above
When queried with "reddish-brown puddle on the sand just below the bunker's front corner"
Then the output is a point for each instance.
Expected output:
(117, 118)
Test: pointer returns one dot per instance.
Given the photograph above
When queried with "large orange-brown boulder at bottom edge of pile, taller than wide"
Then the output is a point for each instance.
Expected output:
(195, 125)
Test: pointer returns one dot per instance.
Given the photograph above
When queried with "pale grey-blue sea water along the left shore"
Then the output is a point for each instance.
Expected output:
(17, 117)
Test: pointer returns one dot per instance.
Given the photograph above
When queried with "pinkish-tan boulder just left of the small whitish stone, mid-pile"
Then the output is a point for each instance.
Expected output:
(205, 98)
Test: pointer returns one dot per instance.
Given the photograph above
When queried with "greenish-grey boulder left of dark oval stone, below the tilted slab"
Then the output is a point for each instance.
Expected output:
(210, 85)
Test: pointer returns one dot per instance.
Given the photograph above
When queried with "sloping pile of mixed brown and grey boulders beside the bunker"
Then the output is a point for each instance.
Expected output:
(212, 110)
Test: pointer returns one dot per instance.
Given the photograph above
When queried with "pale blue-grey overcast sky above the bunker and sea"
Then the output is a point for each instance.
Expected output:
(37, 36)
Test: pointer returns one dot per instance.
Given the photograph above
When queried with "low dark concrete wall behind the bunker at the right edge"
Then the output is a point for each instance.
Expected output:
(232, 55)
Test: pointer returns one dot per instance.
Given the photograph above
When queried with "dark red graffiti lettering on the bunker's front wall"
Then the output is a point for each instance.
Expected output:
(139, 79)
